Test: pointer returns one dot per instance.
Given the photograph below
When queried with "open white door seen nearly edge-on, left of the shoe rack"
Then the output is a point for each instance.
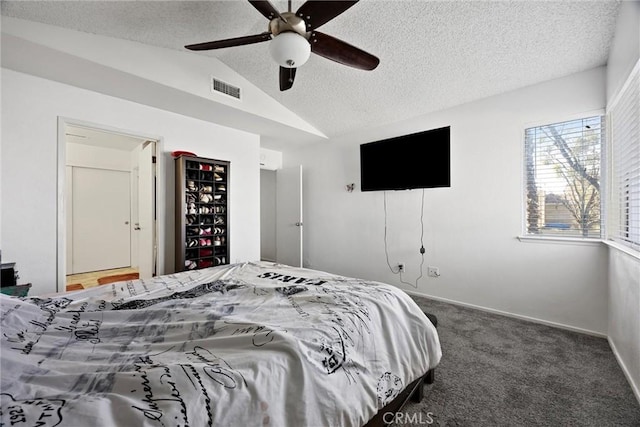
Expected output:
(144, 224)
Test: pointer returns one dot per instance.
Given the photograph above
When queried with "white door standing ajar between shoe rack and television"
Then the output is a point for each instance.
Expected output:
(289, 229)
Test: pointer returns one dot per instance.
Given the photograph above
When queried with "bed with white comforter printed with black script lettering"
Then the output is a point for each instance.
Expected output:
(250, 344)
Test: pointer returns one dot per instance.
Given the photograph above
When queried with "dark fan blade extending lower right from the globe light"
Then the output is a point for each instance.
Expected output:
(342, 52)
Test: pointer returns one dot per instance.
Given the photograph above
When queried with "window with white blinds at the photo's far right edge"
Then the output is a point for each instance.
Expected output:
(623, 211)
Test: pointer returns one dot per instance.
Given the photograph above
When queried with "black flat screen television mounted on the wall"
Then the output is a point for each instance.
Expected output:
(418, 160)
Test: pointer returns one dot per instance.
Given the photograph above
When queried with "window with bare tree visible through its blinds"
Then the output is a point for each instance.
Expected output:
(562, 178)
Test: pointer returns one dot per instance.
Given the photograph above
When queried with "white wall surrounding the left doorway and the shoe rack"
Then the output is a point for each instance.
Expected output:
(30, 110)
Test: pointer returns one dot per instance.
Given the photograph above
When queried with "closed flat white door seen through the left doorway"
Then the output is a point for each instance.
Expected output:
(101, 219)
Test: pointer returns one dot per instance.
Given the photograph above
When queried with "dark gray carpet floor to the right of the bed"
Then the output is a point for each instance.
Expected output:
(500, 371)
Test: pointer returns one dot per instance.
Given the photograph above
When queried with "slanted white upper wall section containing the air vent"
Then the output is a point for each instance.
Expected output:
(170, 79)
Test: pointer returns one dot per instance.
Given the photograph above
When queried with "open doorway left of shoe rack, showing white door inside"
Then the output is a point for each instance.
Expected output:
(108, 217)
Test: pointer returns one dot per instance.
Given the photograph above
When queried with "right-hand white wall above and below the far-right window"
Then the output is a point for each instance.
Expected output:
(624, 269)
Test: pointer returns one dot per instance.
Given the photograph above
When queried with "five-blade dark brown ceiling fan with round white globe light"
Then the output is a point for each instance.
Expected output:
(294, 36)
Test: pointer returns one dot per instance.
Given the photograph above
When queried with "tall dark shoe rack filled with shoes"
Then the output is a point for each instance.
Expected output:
(202, 213)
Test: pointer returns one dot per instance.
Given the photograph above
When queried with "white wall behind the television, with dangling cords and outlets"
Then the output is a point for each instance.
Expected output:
(470, 229)
